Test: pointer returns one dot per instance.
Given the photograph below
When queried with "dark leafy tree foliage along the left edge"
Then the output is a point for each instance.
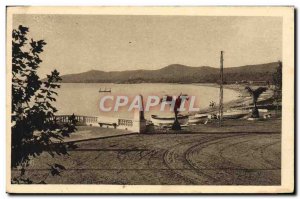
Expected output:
(34, 127)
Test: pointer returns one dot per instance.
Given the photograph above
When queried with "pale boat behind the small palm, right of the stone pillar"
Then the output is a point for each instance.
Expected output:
(168, 121)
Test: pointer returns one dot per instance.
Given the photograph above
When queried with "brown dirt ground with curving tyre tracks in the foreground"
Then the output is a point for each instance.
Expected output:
(199, 159)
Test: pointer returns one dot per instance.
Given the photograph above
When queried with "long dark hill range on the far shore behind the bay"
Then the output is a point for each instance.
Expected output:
(176, 73)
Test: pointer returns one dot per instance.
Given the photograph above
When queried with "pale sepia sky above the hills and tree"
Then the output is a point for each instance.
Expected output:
(79, 43)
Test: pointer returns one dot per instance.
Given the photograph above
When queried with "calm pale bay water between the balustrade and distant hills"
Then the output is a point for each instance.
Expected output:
(84, 98)
